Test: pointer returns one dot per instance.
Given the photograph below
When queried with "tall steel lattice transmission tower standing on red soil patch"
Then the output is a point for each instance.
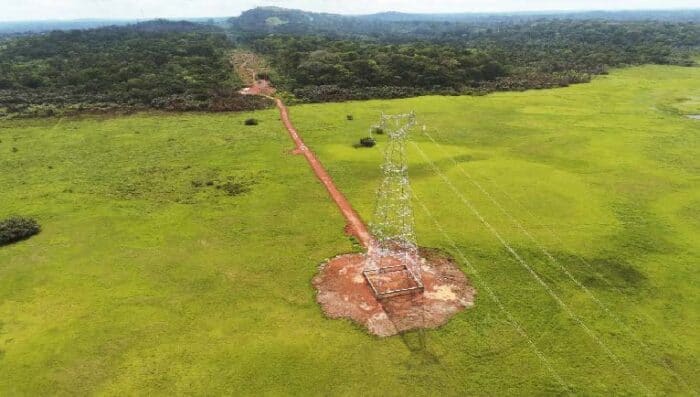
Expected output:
(393, 265)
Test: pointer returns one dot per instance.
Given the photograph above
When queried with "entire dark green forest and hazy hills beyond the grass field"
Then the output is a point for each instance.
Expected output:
(324, 57)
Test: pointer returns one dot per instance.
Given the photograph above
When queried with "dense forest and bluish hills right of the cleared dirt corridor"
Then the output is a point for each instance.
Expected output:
(324, 57)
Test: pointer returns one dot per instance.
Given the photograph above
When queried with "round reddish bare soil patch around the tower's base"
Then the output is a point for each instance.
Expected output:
(343, 292)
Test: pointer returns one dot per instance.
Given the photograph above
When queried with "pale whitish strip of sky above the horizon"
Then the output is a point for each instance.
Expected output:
(24, 10)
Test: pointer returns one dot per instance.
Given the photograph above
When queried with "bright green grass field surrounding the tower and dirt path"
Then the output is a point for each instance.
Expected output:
(148, 279)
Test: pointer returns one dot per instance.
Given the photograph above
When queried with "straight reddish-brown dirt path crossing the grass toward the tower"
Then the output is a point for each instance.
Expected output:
(355, 225)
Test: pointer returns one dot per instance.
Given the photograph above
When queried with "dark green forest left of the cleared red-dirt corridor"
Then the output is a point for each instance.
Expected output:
(159, 64)
